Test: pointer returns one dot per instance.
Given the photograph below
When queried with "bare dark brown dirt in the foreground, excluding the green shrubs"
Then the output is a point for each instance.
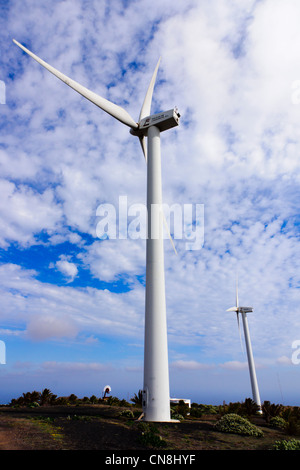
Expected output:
(100, 427)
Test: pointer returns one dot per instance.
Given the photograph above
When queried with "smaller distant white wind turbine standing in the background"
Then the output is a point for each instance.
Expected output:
(243, 311)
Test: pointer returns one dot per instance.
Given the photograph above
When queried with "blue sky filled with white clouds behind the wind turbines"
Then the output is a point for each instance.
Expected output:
(72, 304)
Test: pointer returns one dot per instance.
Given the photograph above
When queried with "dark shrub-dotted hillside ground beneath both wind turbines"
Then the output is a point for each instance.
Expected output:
(114, 425)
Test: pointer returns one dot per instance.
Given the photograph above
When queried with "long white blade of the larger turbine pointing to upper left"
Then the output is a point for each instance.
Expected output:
(114, 110)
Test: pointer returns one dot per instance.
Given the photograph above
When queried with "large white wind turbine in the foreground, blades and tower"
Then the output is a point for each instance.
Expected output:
(156, 392)
